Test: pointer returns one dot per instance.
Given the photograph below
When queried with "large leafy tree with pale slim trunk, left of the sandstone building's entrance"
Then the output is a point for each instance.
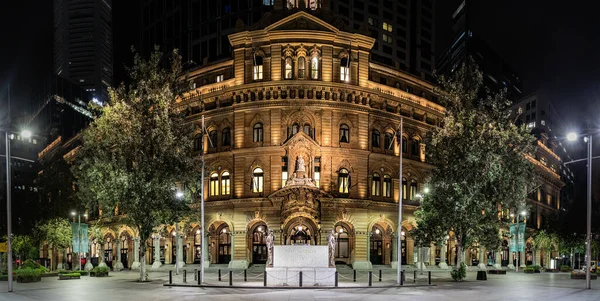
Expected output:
(139, 151)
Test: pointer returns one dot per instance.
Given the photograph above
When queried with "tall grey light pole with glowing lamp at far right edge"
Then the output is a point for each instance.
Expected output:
(588, 236)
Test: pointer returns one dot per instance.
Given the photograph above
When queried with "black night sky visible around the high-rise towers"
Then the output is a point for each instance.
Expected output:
(554, 49)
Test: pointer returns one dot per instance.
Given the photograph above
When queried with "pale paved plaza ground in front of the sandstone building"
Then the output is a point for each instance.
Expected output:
(122, 286)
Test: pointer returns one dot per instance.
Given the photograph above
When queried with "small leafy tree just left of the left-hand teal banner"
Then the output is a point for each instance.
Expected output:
(56, 233)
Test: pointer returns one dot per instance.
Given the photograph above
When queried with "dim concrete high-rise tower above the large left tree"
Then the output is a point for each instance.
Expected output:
(83, 44)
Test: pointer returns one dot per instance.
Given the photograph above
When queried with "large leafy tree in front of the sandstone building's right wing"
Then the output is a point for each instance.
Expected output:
(481, 163)
